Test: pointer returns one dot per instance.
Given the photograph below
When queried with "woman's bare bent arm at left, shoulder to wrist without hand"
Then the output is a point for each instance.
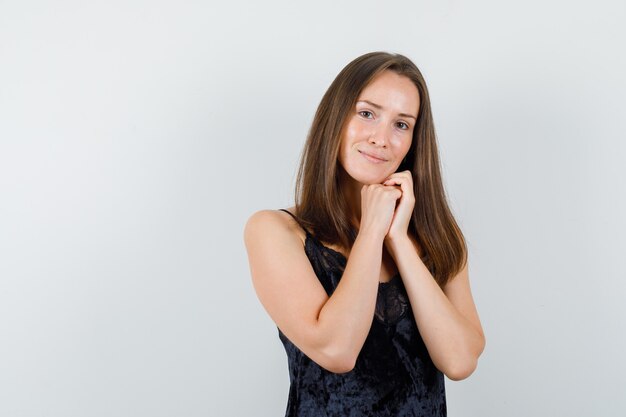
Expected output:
(329, 330)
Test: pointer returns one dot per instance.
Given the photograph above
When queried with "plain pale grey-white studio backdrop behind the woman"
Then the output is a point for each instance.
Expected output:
(136, 138)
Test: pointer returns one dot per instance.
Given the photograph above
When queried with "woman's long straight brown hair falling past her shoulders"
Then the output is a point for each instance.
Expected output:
(320, 202)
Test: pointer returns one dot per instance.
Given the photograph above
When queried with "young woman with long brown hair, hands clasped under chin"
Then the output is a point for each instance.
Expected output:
(366, 276)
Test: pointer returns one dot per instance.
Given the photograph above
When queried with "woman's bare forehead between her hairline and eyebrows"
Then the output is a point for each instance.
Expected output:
(394, 91)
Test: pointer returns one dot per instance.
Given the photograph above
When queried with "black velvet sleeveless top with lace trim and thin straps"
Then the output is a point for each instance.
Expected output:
(394, 375)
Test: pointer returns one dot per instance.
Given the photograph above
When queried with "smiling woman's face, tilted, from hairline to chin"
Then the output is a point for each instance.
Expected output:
(378, 132)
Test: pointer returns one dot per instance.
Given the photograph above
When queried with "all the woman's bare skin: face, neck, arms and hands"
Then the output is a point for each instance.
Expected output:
(332, 330)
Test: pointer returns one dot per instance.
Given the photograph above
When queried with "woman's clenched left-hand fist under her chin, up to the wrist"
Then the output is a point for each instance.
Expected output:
(378, 204)
